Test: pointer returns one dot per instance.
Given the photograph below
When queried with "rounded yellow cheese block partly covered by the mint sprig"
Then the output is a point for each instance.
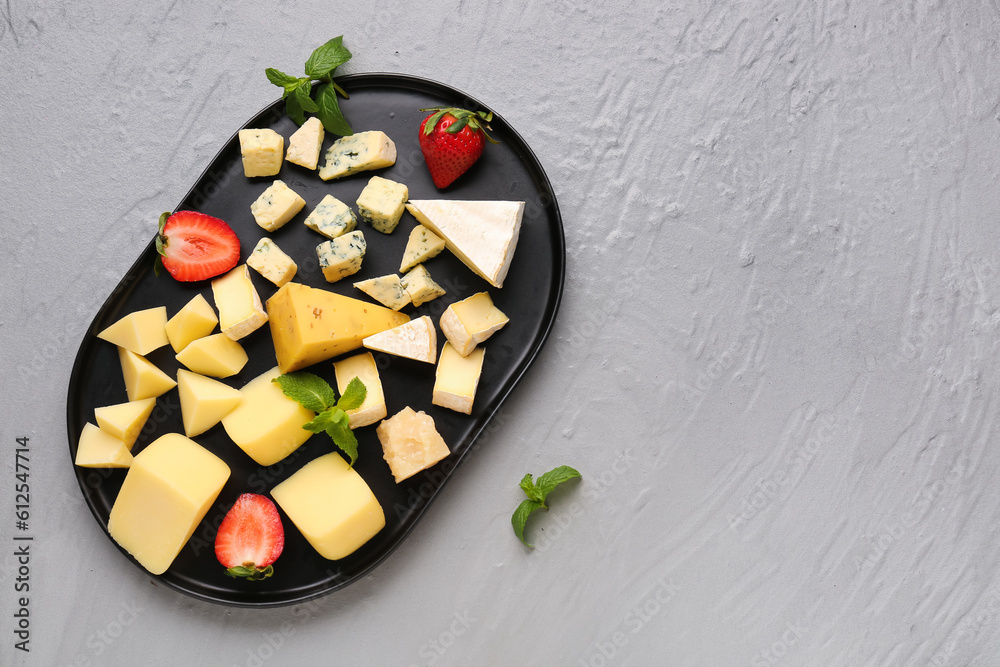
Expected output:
(266, 424)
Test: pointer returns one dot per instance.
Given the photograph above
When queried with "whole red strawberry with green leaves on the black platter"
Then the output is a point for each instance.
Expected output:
(451, 140)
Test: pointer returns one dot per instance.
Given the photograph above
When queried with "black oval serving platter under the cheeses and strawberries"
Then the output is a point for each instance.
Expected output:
(530, 297)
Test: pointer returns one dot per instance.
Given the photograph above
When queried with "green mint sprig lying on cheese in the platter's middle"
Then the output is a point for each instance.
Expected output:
(313, 393)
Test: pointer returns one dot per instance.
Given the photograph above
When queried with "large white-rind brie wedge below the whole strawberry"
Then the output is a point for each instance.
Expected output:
(483, 234)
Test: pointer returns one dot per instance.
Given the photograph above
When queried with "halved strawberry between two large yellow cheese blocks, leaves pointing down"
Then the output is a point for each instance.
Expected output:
(250, 538)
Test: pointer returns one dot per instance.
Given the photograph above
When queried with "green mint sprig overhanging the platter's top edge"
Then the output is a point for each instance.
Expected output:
(298, 90)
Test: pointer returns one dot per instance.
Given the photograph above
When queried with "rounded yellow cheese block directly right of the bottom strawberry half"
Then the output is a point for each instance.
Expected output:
(331, 505)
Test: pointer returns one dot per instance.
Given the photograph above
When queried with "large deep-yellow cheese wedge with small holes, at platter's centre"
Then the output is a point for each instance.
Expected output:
(309, 325)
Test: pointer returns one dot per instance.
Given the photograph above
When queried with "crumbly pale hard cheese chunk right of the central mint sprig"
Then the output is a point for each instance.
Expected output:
(410, 443)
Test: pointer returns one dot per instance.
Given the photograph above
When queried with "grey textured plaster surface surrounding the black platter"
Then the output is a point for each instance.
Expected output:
(775, 363)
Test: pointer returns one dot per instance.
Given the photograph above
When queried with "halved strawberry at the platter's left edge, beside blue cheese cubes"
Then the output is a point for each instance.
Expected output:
(194, 246)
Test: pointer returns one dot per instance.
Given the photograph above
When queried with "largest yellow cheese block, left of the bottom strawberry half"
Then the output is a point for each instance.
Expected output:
(166, 493)
